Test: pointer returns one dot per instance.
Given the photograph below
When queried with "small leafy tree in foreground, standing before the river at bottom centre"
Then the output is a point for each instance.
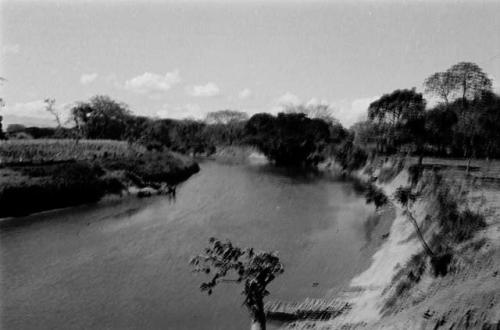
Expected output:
(227, 263)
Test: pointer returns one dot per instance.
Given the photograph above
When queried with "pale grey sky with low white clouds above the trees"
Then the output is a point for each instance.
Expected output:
(186, 58)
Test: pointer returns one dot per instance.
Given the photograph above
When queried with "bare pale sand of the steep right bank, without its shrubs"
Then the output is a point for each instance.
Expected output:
(468, 297)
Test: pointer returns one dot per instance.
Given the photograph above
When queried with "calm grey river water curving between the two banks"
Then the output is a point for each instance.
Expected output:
(124, 264)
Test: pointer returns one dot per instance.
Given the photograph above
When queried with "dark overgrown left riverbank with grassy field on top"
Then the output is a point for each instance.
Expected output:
(38, 175)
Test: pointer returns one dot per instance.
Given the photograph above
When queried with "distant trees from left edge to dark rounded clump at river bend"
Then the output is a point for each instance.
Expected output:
(293, 138)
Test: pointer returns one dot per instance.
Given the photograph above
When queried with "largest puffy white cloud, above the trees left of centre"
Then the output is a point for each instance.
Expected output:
(153, 83)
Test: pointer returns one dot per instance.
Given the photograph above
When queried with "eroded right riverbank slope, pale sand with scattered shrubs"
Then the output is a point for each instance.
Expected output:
(401, 289)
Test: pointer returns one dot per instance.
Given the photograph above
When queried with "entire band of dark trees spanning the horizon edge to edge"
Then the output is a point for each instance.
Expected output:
(465, 122)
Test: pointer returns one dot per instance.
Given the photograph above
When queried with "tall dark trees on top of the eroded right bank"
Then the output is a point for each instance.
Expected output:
(464, 123)
